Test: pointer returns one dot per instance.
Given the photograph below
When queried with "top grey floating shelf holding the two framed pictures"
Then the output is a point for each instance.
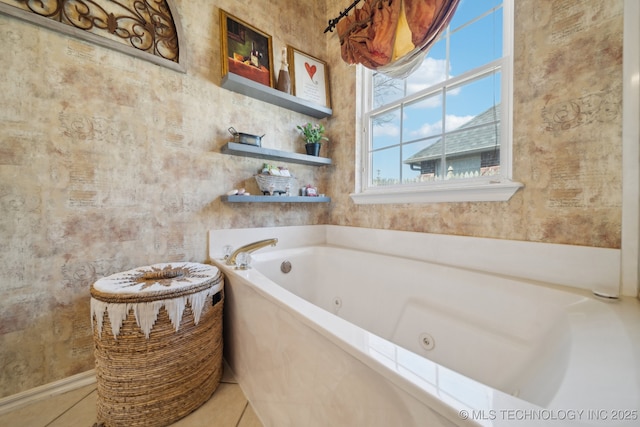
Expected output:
(265, 93)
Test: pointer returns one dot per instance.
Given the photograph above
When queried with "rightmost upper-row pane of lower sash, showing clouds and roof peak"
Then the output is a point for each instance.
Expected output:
(472, 103)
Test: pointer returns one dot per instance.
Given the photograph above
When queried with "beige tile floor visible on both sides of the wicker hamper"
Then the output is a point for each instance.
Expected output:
(228, 407)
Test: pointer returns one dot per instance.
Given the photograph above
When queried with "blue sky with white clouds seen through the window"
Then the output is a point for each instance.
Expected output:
(471, 45)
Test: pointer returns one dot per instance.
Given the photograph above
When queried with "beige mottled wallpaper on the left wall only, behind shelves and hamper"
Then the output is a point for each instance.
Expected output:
(108, 162)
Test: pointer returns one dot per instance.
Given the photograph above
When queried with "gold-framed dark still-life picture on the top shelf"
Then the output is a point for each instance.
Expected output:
(246, 51)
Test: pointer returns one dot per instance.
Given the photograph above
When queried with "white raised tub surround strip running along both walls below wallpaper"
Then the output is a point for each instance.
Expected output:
(581, 267)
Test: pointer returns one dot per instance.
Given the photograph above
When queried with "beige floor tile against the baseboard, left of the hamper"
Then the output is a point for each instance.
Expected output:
(45, 411)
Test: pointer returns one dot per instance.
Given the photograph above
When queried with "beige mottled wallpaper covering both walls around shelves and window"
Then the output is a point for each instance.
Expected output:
(108, 162)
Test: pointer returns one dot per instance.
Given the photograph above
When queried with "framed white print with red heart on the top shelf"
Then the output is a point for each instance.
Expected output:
(309, 77)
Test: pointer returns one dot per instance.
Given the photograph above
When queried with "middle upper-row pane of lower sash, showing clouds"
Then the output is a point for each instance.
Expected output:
(422, 118)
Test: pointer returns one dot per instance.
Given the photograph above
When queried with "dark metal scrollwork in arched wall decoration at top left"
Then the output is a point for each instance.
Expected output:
(146, 25)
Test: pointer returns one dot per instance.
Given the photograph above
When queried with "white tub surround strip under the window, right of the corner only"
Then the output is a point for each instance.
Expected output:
(580, 267)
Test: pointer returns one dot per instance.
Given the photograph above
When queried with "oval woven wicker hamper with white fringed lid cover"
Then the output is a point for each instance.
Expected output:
(158, 342)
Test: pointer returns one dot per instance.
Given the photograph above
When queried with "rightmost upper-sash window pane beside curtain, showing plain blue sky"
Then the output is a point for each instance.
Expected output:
(477, 44)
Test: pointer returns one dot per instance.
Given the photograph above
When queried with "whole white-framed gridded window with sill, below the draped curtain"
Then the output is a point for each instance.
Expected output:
(444, 132)
